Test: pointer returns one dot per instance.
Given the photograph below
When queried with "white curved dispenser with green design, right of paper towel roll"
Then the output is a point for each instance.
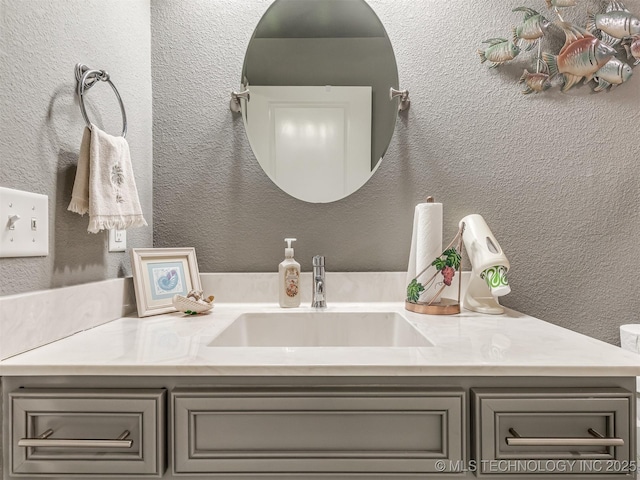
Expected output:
(489, 267)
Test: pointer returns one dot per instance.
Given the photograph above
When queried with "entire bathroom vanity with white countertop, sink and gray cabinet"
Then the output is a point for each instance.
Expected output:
(246, 393)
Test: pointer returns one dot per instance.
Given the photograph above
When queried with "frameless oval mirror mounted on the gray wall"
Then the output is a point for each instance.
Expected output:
(319, 118)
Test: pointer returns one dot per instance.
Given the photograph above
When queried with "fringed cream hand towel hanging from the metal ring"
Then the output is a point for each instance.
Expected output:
(113, 196)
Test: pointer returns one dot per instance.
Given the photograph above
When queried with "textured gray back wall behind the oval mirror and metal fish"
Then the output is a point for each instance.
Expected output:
(556, 176)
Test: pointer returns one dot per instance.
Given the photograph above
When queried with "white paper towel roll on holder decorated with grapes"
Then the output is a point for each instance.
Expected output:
(426, 244)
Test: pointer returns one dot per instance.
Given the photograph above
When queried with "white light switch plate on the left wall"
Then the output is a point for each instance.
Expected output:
(24, 224)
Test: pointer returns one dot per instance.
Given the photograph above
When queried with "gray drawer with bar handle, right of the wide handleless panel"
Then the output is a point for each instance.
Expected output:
(553, 432)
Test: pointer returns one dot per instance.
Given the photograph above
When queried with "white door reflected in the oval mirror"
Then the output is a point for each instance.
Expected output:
(303, 136)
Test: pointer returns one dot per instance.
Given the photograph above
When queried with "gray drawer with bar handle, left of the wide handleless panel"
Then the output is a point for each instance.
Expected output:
(87, 432)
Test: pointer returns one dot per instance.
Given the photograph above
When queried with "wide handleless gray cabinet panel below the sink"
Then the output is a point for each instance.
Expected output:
(315, 430)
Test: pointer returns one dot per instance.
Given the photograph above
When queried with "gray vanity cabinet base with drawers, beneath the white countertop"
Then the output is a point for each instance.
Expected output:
(300, 428)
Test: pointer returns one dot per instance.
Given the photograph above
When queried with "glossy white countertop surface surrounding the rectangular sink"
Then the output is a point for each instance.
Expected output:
(468, 344)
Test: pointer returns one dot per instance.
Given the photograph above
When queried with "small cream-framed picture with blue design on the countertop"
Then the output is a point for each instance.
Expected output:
(161, 273)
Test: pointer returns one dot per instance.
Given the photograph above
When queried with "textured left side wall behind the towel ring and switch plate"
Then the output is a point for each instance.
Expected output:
(41, 125)
